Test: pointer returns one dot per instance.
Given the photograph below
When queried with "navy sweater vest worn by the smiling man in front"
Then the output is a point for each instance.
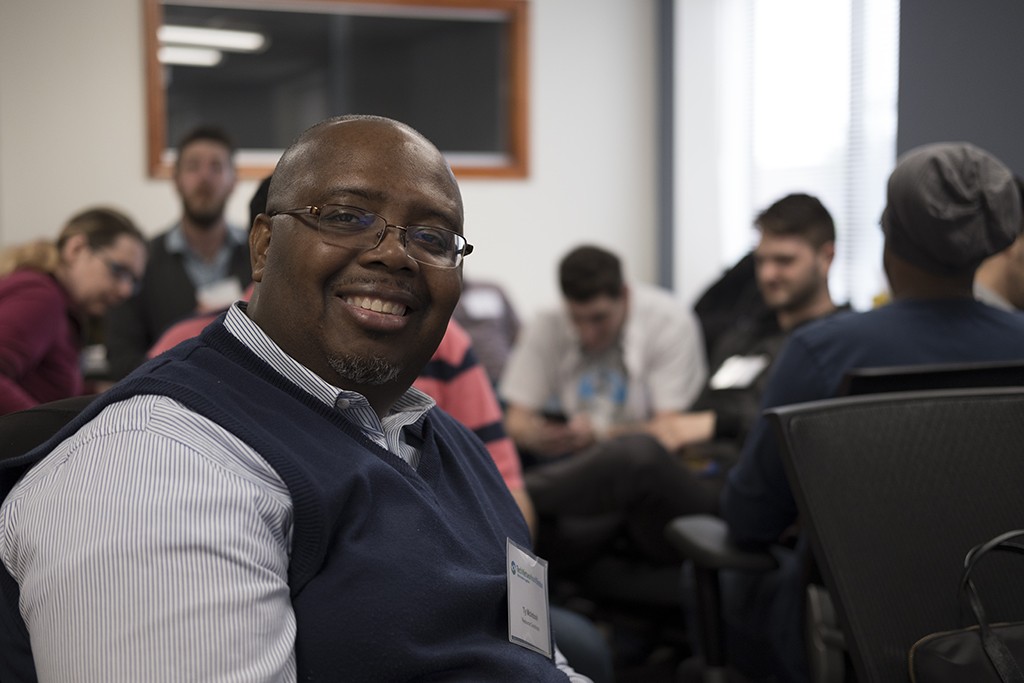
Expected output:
(396, 574)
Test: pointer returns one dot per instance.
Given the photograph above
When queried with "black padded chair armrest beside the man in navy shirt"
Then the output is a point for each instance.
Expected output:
(705, 539)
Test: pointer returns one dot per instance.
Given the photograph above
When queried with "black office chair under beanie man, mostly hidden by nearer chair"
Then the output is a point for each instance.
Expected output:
(705, 541)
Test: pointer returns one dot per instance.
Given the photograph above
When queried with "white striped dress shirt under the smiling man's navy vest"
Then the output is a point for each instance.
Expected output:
(173, 567)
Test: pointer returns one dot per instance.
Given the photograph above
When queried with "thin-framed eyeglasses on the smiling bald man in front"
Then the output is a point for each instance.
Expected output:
(356, 229)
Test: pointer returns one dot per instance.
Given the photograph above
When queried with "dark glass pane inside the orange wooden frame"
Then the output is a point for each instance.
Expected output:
(445, 77)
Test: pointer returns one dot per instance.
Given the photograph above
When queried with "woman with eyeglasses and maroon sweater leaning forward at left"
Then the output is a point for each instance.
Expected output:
(50, 290)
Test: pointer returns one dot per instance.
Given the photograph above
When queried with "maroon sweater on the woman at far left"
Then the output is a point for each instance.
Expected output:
(40, 340)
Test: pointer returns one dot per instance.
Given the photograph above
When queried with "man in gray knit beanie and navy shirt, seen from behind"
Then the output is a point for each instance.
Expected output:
(950, 207)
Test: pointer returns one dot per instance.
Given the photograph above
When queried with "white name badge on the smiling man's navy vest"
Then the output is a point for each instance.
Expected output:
(530, 617)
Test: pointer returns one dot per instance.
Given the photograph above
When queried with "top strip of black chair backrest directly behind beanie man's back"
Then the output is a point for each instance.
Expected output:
(936, 376)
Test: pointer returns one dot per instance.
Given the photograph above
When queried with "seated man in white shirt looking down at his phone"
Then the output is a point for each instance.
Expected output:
(599, 379)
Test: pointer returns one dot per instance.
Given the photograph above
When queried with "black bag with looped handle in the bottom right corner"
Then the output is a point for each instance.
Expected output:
(979, 654)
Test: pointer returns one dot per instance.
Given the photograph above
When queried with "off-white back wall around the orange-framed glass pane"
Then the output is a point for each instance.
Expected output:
(73, 135)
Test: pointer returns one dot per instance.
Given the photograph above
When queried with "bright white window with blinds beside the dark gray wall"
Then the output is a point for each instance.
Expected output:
(778, 97)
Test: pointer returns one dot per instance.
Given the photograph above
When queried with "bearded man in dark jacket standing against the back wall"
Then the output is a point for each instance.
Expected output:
(200, 265)
